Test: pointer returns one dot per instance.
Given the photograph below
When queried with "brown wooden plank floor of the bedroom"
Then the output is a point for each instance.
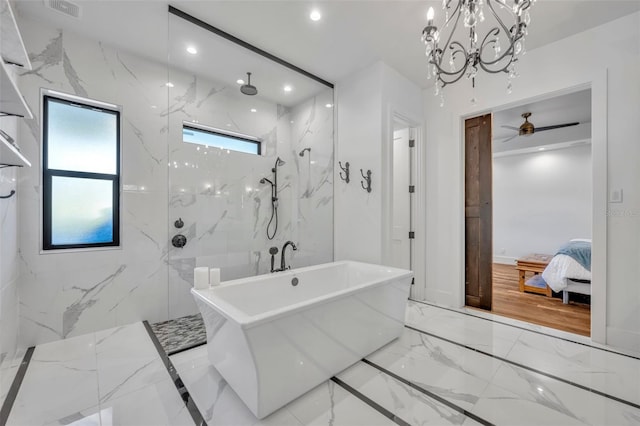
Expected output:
(536, 308)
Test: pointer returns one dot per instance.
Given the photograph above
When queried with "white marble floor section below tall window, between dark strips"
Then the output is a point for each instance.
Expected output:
(104, 378)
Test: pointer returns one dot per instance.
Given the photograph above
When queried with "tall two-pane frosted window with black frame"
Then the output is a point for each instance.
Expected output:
(81, 173)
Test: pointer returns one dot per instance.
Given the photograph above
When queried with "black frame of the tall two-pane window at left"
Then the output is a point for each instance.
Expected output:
(48, 174)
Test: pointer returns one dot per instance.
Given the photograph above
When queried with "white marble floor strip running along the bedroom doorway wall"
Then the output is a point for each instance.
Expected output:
(607, 372)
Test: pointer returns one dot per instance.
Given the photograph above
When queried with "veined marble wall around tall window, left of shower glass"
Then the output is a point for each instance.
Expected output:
(69, 293)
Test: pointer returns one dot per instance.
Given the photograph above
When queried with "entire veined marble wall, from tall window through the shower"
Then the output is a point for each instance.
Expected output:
(218, 194)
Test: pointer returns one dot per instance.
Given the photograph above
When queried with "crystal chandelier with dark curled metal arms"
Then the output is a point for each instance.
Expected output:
(495, 52)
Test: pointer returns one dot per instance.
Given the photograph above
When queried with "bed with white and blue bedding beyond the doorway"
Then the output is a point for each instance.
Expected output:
(569, 271)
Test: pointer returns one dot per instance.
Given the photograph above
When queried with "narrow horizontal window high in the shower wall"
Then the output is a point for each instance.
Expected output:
(221, 139)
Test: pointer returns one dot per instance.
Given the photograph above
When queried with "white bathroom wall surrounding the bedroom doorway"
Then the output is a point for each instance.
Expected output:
(568, 63)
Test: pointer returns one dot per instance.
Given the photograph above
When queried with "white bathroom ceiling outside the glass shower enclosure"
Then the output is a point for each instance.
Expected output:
(350, 36)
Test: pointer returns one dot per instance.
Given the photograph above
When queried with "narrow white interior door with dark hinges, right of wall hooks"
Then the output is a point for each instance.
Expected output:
(401, 244)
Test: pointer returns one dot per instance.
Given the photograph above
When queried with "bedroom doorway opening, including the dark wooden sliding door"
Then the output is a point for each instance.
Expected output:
(528, 204)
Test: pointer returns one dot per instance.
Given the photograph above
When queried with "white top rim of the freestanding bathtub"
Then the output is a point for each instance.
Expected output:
(245, 321)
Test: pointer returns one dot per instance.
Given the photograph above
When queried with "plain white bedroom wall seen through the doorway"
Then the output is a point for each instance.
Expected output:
(540, 201)
